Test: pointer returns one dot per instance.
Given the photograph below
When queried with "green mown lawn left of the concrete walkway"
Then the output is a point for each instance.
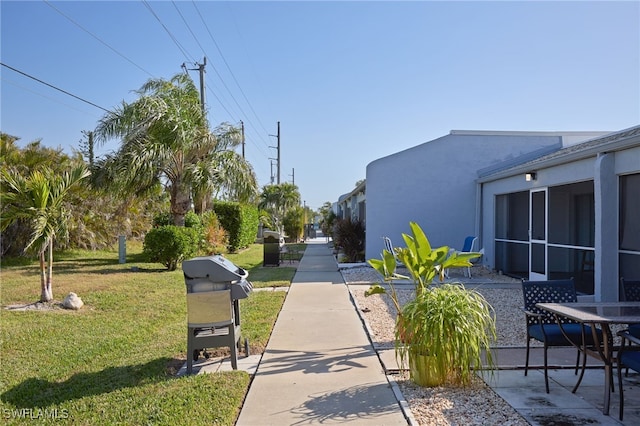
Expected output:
(114, 361)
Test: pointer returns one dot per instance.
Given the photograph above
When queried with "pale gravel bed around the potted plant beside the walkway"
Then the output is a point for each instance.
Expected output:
(475, 405)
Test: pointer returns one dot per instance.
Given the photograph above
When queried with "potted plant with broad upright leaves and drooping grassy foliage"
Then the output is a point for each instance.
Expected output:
(444, 329)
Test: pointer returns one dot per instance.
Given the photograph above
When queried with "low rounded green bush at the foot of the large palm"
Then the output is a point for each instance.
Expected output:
(171, 244)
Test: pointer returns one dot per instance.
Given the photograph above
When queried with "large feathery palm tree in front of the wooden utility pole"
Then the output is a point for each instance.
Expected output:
(166, 140)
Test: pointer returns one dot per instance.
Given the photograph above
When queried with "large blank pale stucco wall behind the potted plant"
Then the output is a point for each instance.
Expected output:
(434, 184)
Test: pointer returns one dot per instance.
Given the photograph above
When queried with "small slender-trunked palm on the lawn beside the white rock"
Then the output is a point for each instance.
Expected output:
(39, 199)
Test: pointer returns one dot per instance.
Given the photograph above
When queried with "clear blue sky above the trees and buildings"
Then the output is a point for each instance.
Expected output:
(350, 82)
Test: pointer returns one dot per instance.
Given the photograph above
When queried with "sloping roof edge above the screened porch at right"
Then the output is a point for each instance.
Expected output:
(556, 155)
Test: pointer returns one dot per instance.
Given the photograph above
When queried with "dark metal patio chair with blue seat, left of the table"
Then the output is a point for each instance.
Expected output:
(543, 325)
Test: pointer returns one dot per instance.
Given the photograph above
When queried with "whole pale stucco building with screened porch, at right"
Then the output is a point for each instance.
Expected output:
(578, 215)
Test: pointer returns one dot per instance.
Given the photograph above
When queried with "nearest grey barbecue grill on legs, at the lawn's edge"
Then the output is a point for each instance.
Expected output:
(214, 287)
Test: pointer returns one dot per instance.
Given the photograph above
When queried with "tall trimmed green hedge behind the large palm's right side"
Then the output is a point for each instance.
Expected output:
(240, 221)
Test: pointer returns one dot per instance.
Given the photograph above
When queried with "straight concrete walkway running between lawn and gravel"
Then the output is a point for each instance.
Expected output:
(319, 366)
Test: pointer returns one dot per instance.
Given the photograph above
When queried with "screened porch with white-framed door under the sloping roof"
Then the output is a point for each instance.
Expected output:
(575, 214)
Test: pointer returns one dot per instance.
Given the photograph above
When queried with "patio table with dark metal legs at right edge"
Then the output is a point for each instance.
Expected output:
(599, 315)
